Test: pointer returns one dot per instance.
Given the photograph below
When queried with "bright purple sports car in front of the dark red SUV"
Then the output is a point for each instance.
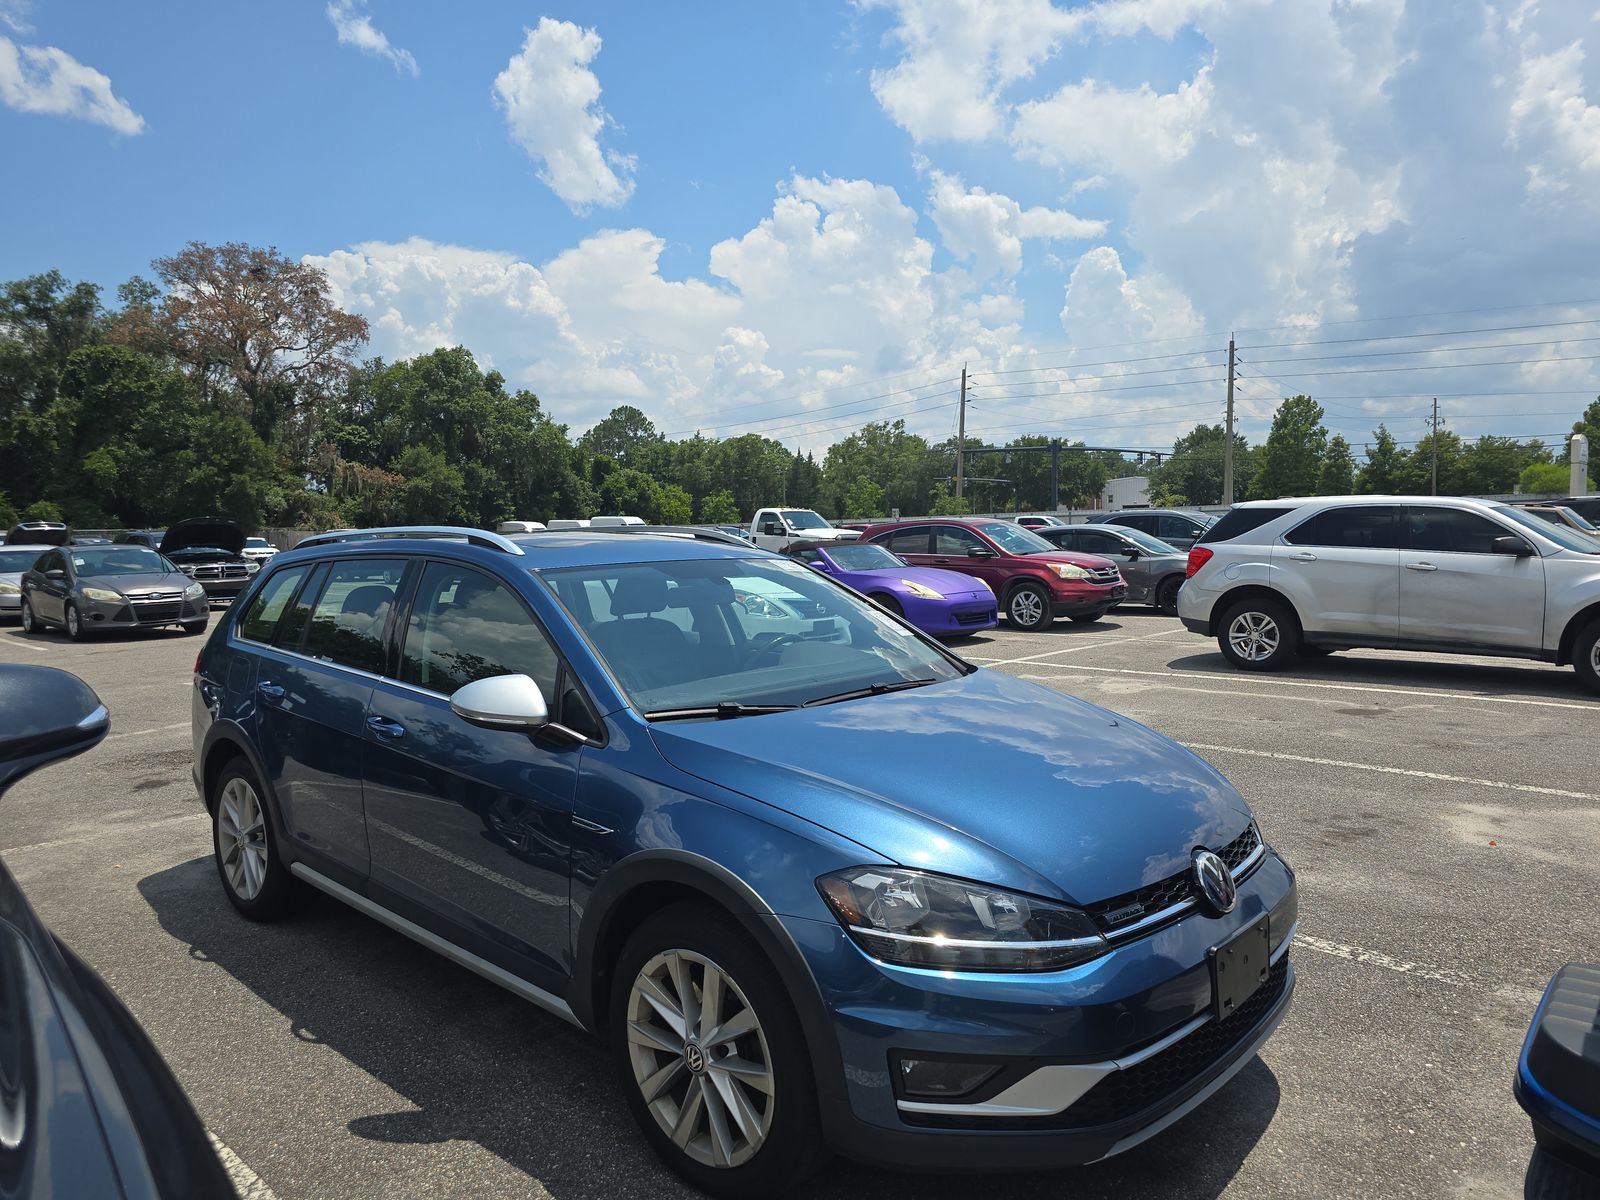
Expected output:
(943, 604)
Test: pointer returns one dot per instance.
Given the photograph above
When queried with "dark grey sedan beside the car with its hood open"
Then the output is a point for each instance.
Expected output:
(90, 590)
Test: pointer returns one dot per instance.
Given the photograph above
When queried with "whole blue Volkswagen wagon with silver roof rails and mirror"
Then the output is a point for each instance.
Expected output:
(823, 886)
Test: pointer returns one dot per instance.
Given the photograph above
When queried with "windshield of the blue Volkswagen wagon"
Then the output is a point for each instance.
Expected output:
(740, 633)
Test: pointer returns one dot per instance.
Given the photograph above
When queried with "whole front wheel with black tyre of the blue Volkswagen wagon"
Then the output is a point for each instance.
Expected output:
(754, 1132)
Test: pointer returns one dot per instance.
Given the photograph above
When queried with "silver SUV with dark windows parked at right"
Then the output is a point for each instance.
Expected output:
(1308, 577)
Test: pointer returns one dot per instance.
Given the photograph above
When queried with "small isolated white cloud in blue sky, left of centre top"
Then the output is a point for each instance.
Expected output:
(551, 100)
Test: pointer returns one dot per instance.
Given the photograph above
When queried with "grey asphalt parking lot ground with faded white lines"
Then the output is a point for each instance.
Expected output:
(1444, 817)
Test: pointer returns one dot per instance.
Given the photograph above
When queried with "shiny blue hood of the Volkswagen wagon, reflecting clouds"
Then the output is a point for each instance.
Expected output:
(986, 777)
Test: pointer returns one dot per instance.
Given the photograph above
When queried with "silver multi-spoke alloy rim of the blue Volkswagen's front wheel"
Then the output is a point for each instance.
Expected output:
(700, 1058)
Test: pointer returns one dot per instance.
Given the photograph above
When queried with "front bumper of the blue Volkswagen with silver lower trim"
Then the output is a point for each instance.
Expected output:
(1097, 1058)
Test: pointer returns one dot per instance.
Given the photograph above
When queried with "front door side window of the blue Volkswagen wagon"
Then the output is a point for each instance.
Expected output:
(466, 626)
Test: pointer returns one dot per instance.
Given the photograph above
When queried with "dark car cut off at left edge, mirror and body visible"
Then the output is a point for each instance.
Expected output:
(87, 1105)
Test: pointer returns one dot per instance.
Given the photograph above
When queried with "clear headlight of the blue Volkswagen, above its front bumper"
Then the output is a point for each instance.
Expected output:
(918, 919)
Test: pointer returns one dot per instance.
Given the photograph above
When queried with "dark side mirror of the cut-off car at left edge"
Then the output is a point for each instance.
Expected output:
(46, 716)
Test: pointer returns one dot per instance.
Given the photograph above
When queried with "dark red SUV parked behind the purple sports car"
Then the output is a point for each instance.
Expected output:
(1031, 578)
